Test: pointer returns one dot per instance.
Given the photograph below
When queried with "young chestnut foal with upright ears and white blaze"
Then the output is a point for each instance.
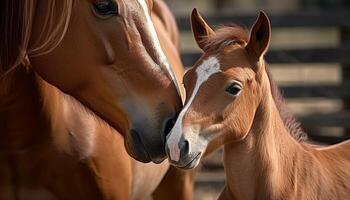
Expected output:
(232, 102)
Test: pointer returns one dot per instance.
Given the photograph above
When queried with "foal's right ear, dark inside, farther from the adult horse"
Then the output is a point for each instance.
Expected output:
(259, 37)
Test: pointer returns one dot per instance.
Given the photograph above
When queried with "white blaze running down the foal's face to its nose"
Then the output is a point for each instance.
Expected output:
(209, 67)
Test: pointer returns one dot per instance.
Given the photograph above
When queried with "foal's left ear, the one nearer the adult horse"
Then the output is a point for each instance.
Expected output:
(200, 28)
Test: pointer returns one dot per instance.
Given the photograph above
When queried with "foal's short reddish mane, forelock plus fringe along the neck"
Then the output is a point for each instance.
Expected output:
(228, 35)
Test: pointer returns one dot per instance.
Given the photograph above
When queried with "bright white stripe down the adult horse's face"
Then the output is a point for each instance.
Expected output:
(156, 44)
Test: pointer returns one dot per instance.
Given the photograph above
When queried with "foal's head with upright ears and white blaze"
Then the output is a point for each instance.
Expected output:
(223, 90)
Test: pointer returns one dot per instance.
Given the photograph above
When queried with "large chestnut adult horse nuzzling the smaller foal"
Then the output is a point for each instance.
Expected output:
(62, 59)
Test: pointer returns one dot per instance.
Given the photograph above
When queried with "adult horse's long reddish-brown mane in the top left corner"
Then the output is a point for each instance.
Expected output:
(16, 21)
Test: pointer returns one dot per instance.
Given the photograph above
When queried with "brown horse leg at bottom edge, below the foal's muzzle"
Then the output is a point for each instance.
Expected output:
(177, 184)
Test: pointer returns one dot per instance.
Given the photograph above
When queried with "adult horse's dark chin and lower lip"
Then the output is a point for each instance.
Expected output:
(137, 148)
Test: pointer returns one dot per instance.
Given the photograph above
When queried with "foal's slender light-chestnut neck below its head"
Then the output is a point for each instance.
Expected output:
(257, 166)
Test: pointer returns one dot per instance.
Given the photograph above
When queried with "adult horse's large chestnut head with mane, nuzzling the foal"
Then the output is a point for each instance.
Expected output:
(104, 53)
